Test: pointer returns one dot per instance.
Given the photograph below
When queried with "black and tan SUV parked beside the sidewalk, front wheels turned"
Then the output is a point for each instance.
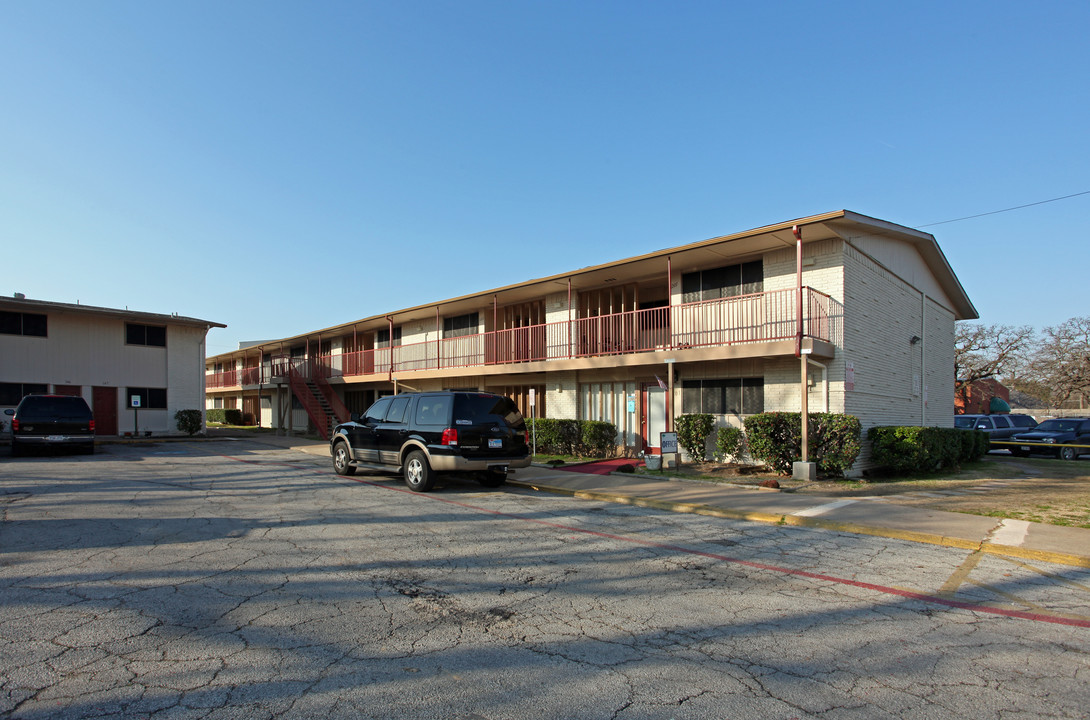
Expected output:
(421, 434)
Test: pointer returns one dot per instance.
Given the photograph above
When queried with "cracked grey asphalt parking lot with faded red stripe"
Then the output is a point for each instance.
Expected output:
(231, 579)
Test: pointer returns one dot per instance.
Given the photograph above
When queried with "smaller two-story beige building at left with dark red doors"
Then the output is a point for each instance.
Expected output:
(108, 357)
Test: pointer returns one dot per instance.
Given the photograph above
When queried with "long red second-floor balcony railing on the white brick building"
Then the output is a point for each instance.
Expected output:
(761, 318)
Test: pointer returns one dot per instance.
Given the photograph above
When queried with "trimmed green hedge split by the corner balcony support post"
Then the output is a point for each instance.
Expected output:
(777, 441)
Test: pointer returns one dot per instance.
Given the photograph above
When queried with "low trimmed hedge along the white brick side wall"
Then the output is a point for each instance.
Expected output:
(913, 449)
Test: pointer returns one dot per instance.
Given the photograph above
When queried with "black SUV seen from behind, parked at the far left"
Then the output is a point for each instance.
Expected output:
(52, 421)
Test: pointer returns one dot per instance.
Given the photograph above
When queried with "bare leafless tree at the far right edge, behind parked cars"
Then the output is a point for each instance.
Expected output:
(1062, 362)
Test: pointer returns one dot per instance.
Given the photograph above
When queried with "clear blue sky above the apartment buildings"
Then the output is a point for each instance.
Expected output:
(282, 167)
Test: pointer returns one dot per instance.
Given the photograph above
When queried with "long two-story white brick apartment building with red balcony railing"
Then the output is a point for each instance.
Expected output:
(854, 314)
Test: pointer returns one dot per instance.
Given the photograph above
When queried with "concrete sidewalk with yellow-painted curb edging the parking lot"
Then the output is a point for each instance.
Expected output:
(1070, 546)
